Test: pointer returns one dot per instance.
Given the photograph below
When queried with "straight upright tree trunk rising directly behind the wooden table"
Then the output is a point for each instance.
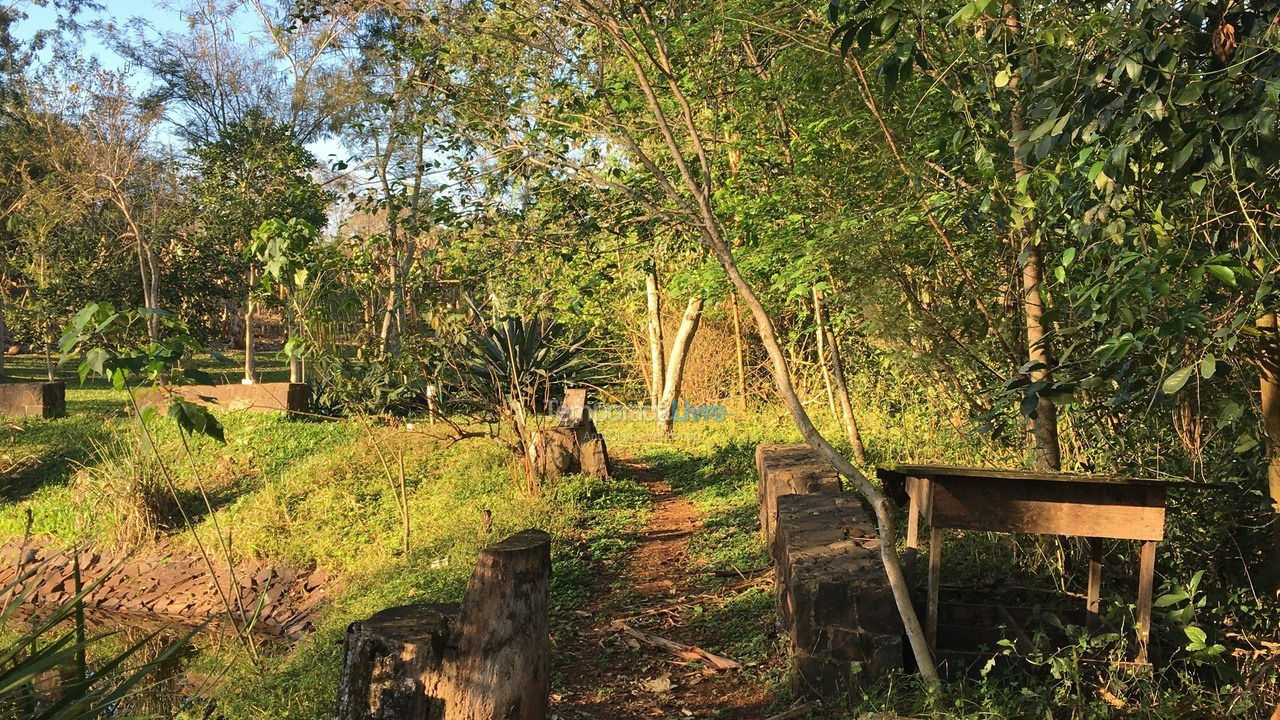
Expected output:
(1044, 426)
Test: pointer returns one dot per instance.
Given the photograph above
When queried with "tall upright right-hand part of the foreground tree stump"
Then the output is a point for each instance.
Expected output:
(500, 664)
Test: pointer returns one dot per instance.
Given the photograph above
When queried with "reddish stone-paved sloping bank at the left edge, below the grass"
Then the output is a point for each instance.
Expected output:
(179, 590)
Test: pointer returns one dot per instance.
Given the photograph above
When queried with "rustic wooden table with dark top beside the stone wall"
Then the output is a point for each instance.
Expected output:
(1023, 502)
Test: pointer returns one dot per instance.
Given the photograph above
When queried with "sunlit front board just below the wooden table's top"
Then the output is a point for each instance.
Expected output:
(1048, 508)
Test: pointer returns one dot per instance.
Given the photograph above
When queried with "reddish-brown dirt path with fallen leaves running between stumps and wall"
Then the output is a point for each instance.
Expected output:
(607, 676)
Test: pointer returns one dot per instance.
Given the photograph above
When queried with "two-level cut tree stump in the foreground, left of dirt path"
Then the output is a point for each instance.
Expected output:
(487, 659)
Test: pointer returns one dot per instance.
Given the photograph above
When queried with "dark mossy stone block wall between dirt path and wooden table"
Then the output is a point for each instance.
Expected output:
(835, 604)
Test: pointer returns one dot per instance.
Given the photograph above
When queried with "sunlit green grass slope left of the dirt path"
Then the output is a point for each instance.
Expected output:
(313, 494)
